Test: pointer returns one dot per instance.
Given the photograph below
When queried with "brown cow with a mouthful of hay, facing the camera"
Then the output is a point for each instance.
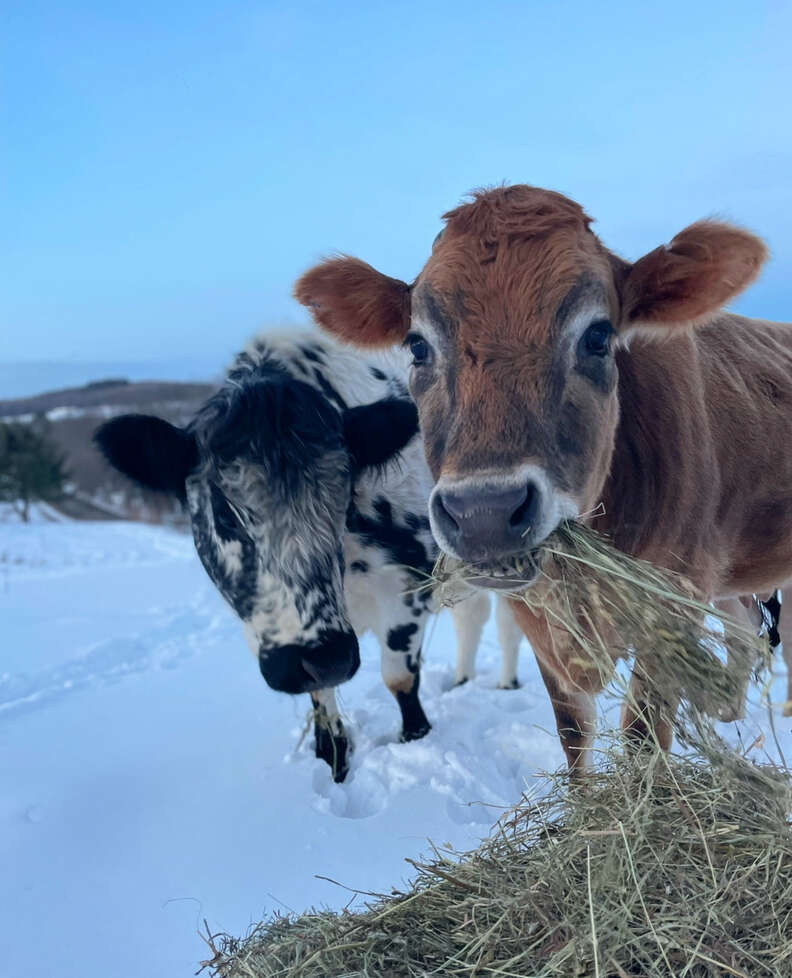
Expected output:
(551, 376)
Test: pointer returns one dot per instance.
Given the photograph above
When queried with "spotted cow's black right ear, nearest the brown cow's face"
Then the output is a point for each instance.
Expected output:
(375, 433)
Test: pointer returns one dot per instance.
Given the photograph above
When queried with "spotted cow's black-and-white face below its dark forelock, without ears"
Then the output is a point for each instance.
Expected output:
(275, 552)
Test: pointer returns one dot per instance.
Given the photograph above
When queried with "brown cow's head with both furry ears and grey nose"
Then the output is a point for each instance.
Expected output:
(513, 325)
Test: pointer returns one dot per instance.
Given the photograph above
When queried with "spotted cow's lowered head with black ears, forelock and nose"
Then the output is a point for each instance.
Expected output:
(267, 469)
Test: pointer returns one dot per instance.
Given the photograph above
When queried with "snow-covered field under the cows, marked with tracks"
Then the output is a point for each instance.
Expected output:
(149, 779)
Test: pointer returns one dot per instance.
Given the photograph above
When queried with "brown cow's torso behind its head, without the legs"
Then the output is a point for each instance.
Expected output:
(701, 478)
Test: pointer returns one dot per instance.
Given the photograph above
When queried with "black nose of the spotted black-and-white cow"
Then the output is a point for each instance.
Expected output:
(303, 668)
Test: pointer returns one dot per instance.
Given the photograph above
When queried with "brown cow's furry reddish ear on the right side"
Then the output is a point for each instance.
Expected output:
(686, 282)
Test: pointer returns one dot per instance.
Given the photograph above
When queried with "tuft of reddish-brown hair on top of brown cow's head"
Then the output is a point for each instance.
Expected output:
(519, 209)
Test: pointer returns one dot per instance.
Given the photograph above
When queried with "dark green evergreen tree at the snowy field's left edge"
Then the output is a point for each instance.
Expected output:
(31, 467)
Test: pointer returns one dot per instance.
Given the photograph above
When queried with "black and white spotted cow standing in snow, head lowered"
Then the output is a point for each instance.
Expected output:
(307, 489)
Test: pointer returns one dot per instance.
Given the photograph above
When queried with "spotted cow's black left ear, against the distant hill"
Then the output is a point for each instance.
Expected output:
(152, 452)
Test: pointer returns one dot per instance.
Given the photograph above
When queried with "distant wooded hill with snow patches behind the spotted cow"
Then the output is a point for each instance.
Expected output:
(71, 416)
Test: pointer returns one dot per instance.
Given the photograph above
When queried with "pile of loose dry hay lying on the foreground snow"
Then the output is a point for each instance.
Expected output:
(664, 866)
